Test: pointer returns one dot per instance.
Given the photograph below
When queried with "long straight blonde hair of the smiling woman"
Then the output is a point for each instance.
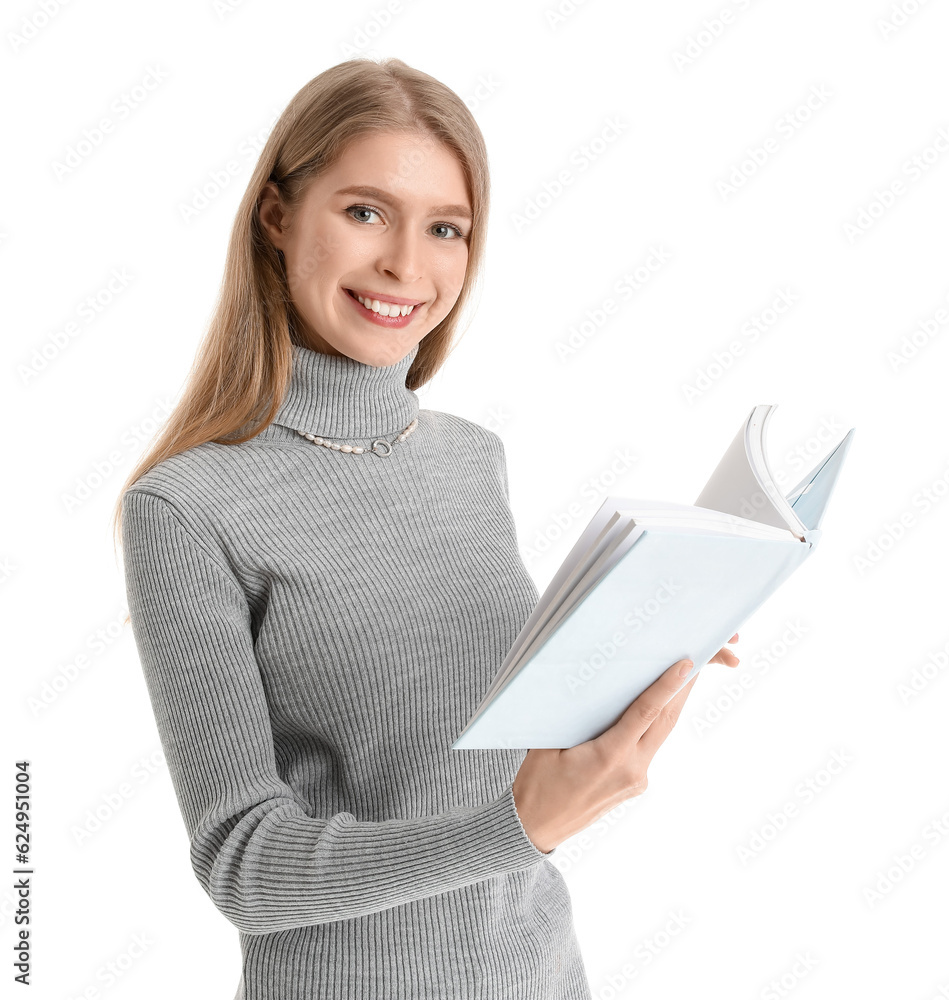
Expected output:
(243, 367)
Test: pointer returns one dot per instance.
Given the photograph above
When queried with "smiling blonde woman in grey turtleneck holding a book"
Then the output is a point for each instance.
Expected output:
(323, 580)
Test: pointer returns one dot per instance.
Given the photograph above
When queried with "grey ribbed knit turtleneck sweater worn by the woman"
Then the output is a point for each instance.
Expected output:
(315, 628)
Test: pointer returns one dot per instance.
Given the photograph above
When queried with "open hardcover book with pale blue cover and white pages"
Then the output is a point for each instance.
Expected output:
(646, 584)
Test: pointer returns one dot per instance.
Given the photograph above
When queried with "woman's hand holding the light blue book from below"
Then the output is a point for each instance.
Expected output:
(559, 792)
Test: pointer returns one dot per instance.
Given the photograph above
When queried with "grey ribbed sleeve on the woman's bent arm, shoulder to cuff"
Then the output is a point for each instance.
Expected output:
(263, 860)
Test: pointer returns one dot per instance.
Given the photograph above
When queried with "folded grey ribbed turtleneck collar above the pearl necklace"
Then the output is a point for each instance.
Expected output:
(336, 396)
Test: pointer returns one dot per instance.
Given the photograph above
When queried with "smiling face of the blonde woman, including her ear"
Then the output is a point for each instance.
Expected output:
(390, 222)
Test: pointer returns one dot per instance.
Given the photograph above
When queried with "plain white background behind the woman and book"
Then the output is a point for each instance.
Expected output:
(796, 914)
